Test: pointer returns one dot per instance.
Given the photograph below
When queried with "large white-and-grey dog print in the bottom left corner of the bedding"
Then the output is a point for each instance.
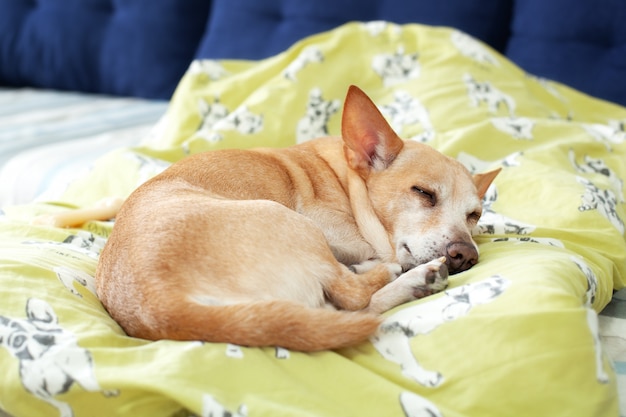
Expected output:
(50, 360)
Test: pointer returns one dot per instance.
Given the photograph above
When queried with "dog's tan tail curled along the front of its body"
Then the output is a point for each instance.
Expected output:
(267, 323)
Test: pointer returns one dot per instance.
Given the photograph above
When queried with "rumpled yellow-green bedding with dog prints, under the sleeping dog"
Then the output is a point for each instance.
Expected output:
(518, 334)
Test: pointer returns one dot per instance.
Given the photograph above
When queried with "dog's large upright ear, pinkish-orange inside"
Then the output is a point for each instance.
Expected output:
(369, 141)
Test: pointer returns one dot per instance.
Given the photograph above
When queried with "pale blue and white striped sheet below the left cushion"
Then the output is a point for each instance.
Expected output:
(48, 138)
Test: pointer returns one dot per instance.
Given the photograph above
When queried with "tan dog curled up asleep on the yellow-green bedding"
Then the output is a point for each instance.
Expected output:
(252, 247)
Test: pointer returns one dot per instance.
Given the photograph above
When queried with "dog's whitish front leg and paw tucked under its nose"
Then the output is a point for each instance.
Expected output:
(419, 282)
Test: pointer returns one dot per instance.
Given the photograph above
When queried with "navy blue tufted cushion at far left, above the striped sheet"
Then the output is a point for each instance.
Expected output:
(122, 47)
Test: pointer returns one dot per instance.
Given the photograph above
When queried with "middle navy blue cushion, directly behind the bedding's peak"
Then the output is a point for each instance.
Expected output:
(253, 29)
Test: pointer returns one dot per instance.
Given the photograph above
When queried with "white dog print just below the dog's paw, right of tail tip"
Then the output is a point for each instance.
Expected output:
(393, 339)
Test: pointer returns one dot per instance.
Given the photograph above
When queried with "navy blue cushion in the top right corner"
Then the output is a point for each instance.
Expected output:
(579, 43)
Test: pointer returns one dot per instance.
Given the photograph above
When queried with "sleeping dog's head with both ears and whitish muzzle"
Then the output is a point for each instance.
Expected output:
(427, 202)
